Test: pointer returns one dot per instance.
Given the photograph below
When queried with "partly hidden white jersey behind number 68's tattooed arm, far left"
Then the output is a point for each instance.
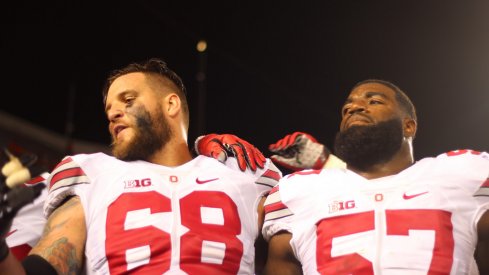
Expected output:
(28, 224)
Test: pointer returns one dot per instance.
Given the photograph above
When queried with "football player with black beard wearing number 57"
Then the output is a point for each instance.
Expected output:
(384, 213)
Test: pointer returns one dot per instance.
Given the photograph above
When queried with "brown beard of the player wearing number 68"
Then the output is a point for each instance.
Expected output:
(151, 133)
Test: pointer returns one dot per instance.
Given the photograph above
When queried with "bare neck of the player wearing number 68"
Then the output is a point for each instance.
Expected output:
(174, 153)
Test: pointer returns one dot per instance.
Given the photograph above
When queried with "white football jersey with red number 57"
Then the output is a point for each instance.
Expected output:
(420, 221)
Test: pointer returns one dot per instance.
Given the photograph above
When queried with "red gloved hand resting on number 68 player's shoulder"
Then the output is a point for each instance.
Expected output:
(221, 147)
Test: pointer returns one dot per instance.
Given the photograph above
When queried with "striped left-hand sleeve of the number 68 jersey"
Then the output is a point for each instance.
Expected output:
(63, 182)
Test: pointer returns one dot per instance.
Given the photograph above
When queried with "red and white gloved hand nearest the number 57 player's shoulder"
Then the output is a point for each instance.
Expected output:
(299, 151)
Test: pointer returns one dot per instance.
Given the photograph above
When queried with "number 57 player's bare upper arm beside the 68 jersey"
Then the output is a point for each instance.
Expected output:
(281, 259)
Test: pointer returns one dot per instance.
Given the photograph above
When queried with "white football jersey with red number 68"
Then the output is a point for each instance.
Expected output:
(197, 218)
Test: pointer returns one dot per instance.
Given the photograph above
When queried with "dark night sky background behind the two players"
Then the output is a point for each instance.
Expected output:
(272, 67)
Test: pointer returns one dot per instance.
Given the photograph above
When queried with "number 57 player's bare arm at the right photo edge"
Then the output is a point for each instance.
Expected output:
(482, 250)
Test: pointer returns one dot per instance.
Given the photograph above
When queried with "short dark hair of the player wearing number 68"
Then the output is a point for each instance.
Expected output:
(154, 66)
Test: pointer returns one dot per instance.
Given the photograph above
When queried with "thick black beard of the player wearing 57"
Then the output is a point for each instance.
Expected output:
(363, 146)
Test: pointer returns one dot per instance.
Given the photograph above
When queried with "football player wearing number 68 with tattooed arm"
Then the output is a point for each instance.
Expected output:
(150, 208)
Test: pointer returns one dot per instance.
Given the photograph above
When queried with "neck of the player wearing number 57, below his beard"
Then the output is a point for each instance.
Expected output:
(400, 161)
